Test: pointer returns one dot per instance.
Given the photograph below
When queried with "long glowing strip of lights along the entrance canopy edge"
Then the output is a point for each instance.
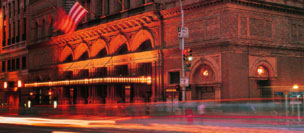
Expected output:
(140, 80)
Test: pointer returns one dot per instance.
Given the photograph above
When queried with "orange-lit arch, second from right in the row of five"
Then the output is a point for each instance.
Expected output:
(117, 42)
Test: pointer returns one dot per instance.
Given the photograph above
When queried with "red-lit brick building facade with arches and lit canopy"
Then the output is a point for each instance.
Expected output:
(128, 51)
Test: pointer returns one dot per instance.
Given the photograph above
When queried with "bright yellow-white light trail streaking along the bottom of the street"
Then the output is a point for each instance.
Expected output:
(112, 124)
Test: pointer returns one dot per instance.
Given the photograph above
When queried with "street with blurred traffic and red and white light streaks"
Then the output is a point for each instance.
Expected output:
(194, 116)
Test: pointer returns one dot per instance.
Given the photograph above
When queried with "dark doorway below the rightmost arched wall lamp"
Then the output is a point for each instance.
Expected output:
(264, 87)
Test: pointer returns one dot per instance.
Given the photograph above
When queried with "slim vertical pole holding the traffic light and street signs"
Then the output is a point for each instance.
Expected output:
(183, 88)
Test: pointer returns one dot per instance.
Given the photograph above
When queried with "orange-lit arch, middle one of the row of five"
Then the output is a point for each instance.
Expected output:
(98, 46)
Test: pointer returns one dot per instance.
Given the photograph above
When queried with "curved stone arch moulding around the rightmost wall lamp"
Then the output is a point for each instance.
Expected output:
(265, 64)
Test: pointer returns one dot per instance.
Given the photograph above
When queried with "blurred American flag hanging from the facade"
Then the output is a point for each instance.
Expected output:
(68, 23)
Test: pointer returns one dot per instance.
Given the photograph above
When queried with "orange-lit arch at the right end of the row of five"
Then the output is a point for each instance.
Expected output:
(140, 37)
